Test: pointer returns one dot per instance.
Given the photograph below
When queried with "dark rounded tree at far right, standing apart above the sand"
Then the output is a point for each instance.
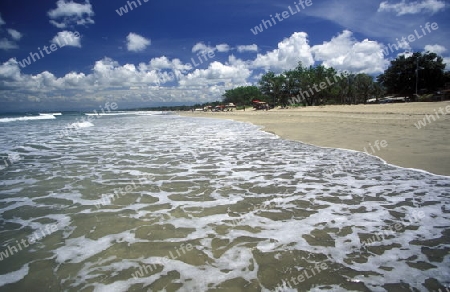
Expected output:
(401, 75)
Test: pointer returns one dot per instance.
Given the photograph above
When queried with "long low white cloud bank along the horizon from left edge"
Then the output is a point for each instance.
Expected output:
(109, 78)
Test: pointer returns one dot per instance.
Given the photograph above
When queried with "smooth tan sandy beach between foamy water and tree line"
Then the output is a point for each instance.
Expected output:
(359, 127)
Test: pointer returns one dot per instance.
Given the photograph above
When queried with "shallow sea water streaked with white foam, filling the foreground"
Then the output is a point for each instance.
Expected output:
(157, 202)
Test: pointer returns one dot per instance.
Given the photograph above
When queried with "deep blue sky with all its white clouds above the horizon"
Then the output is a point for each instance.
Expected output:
(81, 54)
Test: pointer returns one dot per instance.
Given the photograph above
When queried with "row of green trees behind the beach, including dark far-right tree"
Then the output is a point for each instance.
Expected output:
(318, 85)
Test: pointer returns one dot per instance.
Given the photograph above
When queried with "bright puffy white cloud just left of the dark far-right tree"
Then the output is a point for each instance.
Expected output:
(345, 53)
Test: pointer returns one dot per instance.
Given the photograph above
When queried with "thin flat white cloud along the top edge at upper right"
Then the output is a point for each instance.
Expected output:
(402, 8)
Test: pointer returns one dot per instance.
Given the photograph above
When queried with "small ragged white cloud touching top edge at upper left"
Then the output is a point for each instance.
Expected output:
(68, 13)
